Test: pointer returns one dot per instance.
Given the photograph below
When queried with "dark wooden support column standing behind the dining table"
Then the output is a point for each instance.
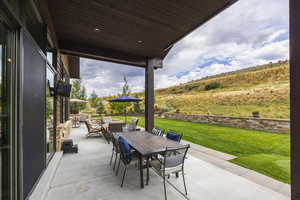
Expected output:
(152, 64)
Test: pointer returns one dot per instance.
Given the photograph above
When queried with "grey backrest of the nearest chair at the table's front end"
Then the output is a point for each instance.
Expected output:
(175, 157)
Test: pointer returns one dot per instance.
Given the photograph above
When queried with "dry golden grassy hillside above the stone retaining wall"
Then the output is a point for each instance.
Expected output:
(262, 88)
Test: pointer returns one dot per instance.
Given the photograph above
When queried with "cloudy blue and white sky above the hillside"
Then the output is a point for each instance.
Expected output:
(249, 33)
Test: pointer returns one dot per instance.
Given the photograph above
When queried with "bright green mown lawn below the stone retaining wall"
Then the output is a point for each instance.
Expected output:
(267, 153)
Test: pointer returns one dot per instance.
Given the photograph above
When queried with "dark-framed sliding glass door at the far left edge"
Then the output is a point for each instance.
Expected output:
(5, 114)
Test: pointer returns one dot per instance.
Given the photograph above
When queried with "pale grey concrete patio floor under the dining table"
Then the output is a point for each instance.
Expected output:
(88, 176)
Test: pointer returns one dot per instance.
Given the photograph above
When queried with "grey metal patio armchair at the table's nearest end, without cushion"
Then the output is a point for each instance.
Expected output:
(171, 163)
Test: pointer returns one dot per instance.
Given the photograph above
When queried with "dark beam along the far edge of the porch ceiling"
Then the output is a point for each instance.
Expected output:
(76, 49)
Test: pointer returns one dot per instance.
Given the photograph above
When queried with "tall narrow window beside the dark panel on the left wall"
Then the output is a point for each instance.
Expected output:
(50, 132)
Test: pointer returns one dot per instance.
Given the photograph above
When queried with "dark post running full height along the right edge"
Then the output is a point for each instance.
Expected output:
(295, 97)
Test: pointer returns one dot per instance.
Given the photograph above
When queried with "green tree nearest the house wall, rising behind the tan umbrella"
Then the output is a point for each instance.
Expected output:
(77, 92)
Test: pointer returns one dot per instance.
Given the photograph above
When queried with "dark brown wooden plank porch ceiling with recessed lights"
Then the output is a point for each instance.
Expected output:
(127, 31)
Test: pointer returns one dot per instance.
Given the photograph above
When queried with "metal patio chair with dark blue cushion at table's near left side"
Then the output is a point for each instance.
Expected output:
(127, 156)
